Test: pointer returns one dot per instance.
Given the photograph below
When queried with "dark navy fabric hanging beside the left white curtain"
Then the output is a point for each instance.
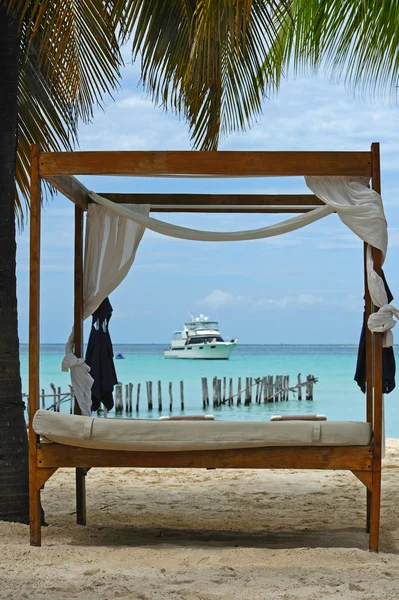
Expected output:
(100, 358)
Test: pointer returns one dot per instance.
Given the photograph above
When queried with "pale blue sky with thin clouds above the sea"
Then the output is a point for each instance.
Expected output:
(305, 287)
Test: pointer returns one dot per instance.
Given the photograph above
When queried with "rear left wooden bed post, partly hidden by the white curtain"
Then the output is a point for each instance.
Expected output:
(78, 340)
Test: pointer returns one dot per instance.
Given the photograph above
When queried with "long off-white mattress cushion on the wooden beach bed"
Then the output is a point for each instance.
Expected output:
(174, 436)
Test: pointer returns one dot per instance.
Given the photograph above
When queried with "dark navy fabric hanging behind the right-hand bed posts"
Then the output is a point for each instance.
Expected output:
(388, 357)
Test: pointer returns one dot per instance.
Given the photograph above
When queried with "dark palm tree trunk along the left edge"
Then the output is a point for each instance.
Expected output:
(13, 437)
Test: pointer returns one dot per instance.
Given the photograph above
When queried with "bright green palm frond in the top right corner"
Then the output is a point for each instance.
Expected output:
(356, 41)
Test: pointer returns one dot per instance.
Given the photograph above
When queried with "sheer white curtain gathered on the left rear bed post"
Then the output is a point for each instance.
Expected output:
(111, 243)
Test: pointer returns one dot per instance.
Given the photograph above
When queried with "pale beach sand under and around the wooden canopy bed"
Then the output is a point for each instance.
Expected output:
(206, 535)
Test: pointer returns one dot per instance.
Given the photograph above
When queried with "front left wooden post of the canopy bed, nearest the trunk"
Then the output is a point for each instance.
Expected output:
(34, 346)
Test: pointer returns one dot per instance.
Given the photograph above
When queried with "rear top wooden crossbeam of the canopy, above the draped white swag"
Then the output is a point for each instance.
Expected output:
(232, 203)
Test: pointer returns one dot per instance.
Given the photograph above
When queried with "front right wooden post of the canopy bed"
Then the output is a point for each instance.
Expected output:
(375, 500)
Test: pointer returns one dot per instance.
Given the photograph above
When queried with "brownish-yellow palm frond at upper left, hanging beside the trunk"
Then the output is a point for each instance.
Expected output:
(69, 60)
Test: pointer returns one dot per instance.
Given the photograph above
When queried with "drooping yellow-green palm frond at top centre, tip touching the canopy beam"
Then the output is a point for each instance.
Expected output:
(204, 58)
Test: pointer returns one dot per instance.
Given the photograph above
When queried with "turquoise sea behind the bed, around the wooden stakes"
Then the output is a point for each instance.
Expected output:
(336, 394)
